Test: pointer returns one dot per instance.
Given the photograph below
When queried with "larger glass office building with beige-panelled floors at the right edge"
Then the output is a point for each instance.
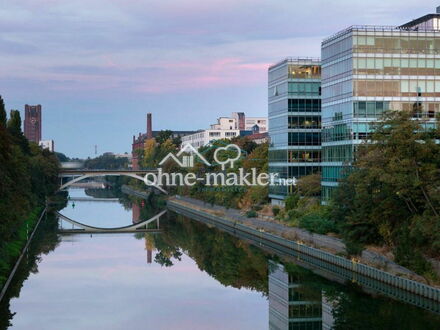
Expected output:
(367, 70)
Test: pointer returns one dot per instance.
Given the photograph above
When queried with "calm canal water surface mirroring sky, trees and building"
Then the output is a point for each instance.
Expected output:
(187, 275)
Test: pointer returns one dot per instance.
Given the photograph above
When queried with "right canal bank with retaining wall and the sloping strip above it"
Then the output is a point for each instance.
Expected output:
(313, 247)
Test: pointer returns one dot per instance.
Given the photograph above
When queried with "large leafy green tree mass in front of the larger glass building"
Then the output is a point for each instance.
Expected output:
(393, 194)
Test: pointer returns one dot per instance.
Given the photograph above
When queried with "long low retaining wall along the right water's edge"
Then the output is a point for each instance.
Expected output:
(364, 273)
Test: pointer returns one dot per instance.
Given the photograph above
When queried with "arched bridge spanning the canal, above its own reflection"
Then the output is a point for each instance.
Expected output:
(81, 174)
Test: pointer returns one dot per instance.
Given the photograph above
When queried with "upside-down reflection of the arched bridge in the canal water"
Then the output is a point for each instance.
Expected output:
(83, 228)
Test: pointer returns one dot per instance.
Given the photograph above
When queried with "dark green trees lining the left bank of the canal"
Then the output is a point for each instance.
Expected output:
(28, 175)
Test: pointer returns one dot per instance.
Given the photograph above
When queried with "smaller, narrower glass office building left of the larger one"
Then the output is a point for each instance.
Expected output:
(294, 121)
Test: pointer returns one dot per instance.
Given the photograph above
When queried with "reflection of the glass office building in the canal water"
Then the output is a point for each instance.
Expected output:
(294, 306)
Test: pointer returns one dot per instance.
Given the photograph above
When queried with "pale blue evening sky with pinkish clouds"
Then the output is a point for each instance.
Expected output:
(98, 66)
